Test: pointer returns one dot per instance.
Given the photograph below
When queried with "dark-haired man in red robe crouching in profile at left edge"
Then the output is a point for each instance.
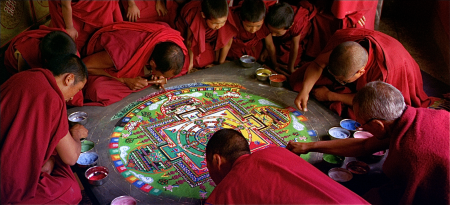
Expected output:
(37, 146)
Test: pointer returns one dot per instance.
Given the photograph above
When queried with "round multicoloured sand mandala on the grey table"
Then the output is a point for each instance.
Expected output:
(159, 142)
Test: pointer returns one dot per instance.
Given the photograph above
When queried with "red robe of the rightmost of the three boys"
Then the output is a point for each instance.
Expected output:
(301, 27)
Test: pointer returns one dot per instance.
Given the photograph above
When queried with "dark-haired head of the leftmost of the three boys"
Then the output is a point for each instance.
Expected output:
(215, 12)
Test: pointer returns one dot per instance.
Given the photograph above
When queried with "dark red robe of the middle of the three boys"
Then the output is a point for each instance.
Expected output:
(245, 43)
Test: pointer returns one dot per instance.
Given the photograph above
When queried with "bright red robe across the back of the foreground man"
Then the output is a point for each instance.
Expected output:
(292, 181)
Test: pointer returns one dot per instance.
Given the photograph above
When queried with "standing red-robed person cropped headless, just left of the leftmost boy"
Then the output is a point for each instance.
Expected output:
(152, 11)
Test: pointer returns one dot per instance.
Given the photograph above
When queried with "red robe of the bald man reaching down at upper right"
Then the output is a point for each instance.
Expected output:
(388, 61)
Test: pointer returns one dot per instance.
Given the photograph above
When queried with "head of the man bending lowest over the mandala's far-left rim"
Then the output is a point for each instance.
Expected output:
(167, 59)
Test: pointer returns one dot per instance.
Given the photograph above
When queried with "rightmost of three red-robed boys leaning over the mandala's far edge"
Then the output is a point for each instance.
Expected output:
(289, 25)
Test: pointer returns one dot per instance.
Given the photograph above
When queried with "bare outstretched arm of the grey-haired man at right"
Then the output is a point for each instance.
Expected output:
(350, 147)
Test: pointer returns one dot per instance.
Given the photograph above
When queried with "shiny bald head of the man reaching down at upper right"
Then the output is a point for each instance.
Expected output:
(347, 62)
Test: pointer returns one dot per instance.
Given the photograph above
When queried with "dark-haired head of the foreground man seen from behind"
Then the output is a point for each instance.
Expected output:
(222, 150)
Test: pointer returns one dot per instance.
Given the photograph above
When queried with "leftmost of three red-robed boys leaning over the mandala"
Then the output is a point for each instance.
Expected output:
(207, 32)
